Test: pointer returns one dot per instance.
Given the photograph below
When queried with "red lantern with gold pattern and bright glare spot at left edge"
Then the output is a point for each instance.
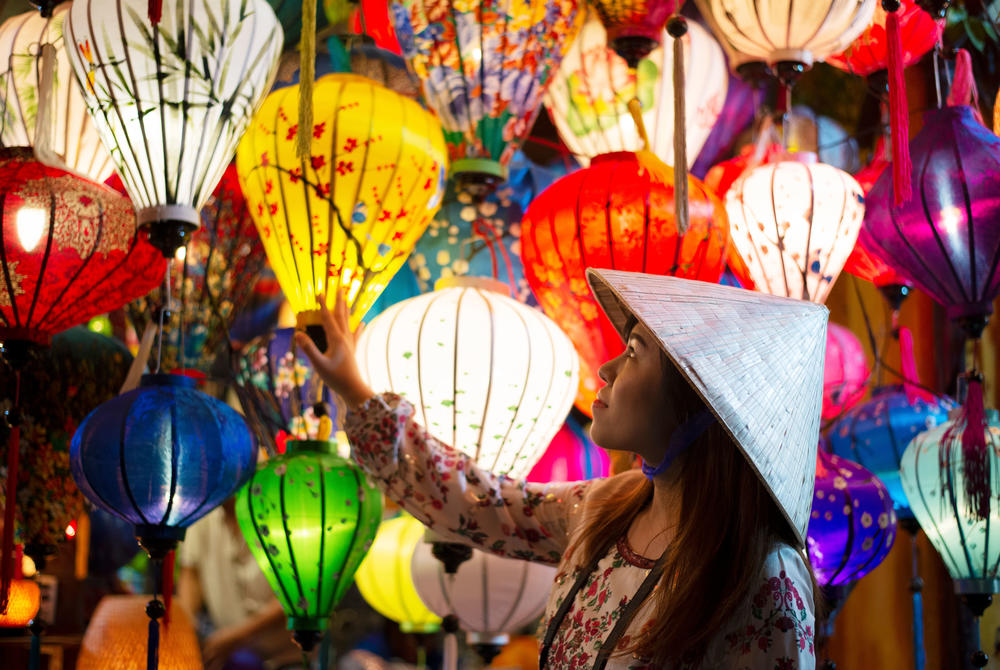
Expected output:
(71, 250)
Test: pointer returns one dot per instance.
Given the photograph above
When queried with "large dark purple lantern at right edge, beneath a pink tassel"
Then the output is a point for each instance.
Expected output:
(946, 237)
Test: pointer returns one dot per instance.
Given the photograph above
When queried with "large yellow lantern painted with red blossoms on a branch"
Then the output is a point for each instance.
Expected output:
(348, 217)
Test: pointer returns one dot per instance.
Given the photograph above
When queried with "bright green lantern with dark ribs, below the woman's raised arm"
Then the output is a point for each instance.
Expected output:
(309, 517)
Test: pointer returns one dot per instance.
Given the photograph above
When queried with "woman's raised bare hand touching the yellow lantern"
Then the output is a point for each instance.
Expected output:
(337, 366)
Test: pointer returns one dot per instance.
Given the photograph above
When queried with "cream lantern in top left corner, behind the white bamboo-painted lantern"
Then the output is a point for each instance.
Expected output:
(69, 138)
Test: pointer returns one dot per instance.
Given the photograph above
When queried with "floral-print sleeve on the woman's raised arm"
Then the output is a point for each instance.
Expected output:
(449, 493)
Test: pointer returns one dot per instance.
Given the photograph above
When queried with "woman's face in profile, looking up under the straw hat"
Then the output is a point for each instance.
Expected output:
(632, 411)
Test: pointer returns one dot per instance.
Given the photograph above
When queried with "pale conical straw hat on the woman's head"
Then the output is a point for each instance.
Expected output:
(755, 359)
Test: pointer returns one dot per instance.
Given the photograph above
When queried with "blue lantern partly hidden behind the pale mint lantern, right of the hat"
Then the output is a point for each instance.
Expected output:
(875, 433)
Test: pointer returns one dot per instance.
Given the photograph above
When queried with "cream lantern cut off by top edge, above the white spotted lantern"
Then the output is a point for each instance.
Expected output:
(788, 31)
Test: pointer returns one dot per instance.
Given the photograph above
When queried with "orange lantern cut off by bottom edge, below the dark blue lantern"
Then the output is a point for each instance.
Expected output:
(115, 638)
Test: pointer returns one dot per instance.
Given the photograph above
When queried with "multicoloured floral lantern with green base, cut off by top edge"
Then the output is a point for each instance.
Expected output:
(486, 92)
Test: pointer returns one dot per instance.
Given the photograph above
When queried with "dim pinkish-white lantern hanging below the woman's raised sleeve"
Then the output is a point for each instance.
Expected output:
(490, 596)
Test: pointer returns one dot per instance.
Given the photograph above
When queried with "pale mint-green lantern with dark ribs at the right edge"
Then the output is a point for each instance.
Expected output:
(933, 478)
